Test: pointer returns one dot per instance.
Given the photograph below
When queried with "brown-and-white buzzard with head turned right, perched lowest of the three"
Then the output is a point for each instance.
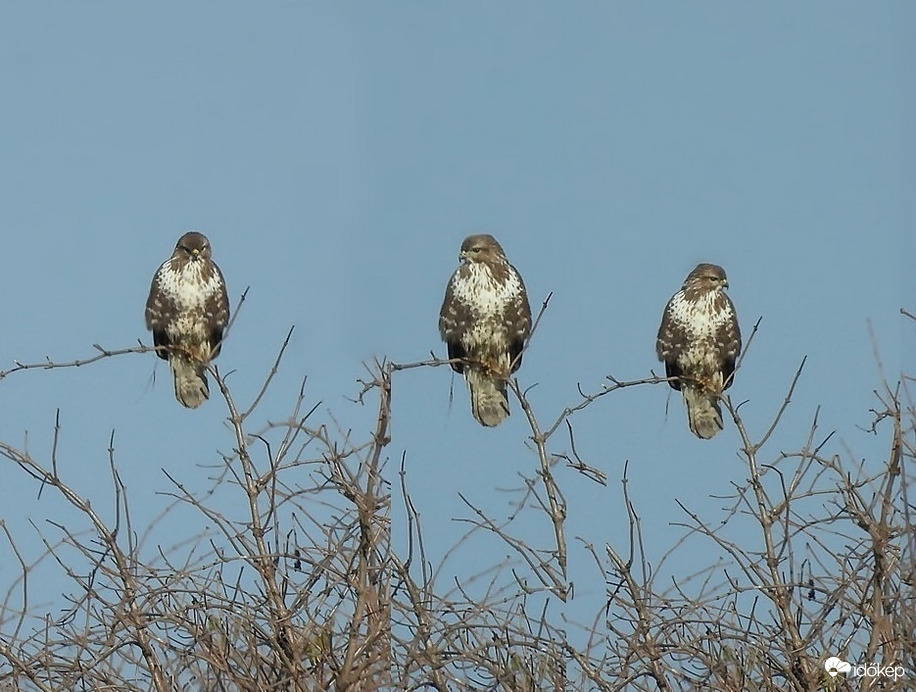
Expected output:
(699, 341)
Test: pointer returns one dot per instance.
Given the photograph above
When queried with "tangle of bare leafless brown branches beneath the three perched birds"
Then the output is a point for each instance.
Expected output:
(301, 587)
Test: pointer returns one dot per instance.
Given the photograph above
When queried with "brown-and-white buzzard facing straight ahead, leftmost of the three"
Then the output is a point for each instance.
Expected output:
(187, 310)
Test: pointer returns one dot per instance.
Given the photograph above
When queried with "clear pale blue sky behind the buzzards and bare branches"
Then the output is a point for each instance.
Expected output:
(337, 153)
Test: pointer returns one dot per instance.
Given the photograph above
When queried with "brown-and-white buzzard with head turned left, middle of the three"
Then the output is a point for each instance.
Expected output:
(485, 321)
